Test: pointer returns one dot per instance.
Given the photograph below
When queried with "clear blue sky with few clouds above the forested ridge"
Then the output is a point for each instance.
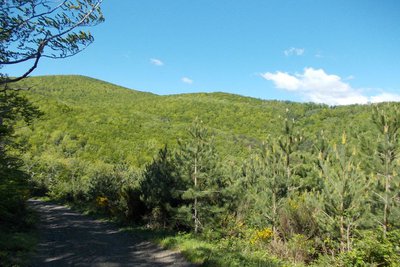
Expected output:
(334, 52)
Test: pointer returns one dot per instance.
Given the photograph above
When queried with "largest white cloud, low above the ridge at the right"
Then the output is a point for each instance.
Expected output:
(317, 86)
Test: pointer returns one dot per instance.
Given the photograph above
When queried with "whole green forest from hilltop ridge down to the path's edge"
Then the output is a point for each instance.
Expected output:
(301, 182)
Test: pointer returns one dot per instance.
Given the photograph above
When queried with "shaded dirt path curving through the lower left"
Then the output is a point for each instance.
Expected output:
(71, 239)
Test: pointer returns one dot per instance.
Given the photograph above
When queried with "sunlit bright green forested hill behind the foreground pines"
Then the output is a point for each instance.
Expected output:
(97, 121)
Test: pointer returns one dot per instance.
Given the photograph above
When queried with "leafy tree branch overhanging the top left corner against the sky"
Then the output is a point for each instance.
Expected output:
(32, 29)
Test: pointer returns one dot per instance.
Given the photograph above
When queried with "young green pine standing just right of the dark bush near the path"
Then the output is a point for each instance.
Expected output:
(198, 162)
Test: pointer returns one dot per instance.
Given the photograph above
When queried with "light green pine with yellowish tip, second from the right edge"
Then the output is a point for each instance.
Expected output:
(344, 195)
